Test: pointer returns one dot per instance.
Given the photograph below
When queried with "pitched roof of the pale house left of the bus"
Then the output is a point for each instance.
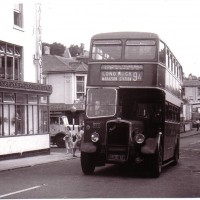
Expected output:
(53, 63)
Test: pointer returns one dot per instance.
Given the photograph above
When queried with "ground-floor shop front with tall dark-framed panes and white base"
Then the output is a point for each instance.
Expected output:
(24, 118)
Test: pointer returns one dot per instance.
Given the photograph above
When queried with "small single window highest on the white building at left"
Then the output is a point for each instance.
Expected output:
(18, 15)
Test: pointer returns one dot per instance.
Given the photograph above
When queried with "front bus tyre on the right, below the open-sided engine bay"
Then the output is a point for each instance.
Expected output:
(156, 163)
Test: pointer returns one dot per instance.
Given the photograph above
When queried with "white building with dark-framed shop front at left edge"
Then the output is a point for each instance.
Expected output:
(24, 101)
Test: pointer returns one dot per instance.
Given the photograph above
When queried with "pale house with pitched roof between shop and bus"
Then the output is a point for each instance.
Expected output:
(68, 78)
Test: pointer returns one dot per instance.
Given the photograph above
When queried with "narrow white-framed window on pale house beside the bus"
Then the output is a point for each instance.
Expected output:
(80, 87)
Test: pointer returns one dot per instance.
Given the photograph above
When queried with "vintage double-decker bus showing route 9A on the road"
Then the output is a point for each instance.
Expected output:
(133, 102)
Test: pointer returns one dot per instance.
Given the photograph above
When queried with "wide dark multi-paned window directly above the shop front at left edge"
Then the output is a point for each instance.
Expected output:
(10, 61)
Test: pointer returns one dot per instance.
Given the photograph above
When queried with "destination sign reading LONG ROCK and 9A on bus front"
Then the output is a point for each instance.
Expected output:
(122, 76)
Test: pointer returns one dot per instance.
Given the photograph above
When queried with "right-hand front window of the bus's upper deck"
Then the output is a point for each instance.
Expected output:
(140, 50)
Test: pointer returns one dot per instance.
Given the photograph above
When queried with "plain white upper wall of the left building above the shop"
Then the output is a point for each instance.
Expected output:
(25, 37)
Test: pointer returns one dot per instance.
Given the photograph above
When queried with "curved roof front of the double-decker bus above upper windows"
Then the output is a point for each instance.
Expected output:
(125, 35)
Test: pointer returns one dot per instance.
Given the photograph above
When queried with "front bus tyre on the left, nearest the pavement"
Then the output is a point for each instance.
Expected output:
(87, 163)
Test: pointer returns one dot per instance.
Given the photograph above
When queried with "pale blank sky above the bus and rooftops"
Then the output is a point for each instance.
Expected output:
(177, 22)
